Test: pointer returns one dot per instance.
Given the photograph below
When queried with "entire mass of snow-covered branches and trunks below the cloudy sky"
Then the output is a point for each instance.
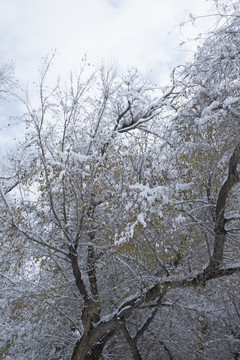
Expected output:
(120, 220)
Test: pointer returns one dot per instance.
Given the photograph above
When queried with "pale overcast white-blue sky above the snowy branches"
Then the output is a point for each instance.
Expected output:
(141, 33)
